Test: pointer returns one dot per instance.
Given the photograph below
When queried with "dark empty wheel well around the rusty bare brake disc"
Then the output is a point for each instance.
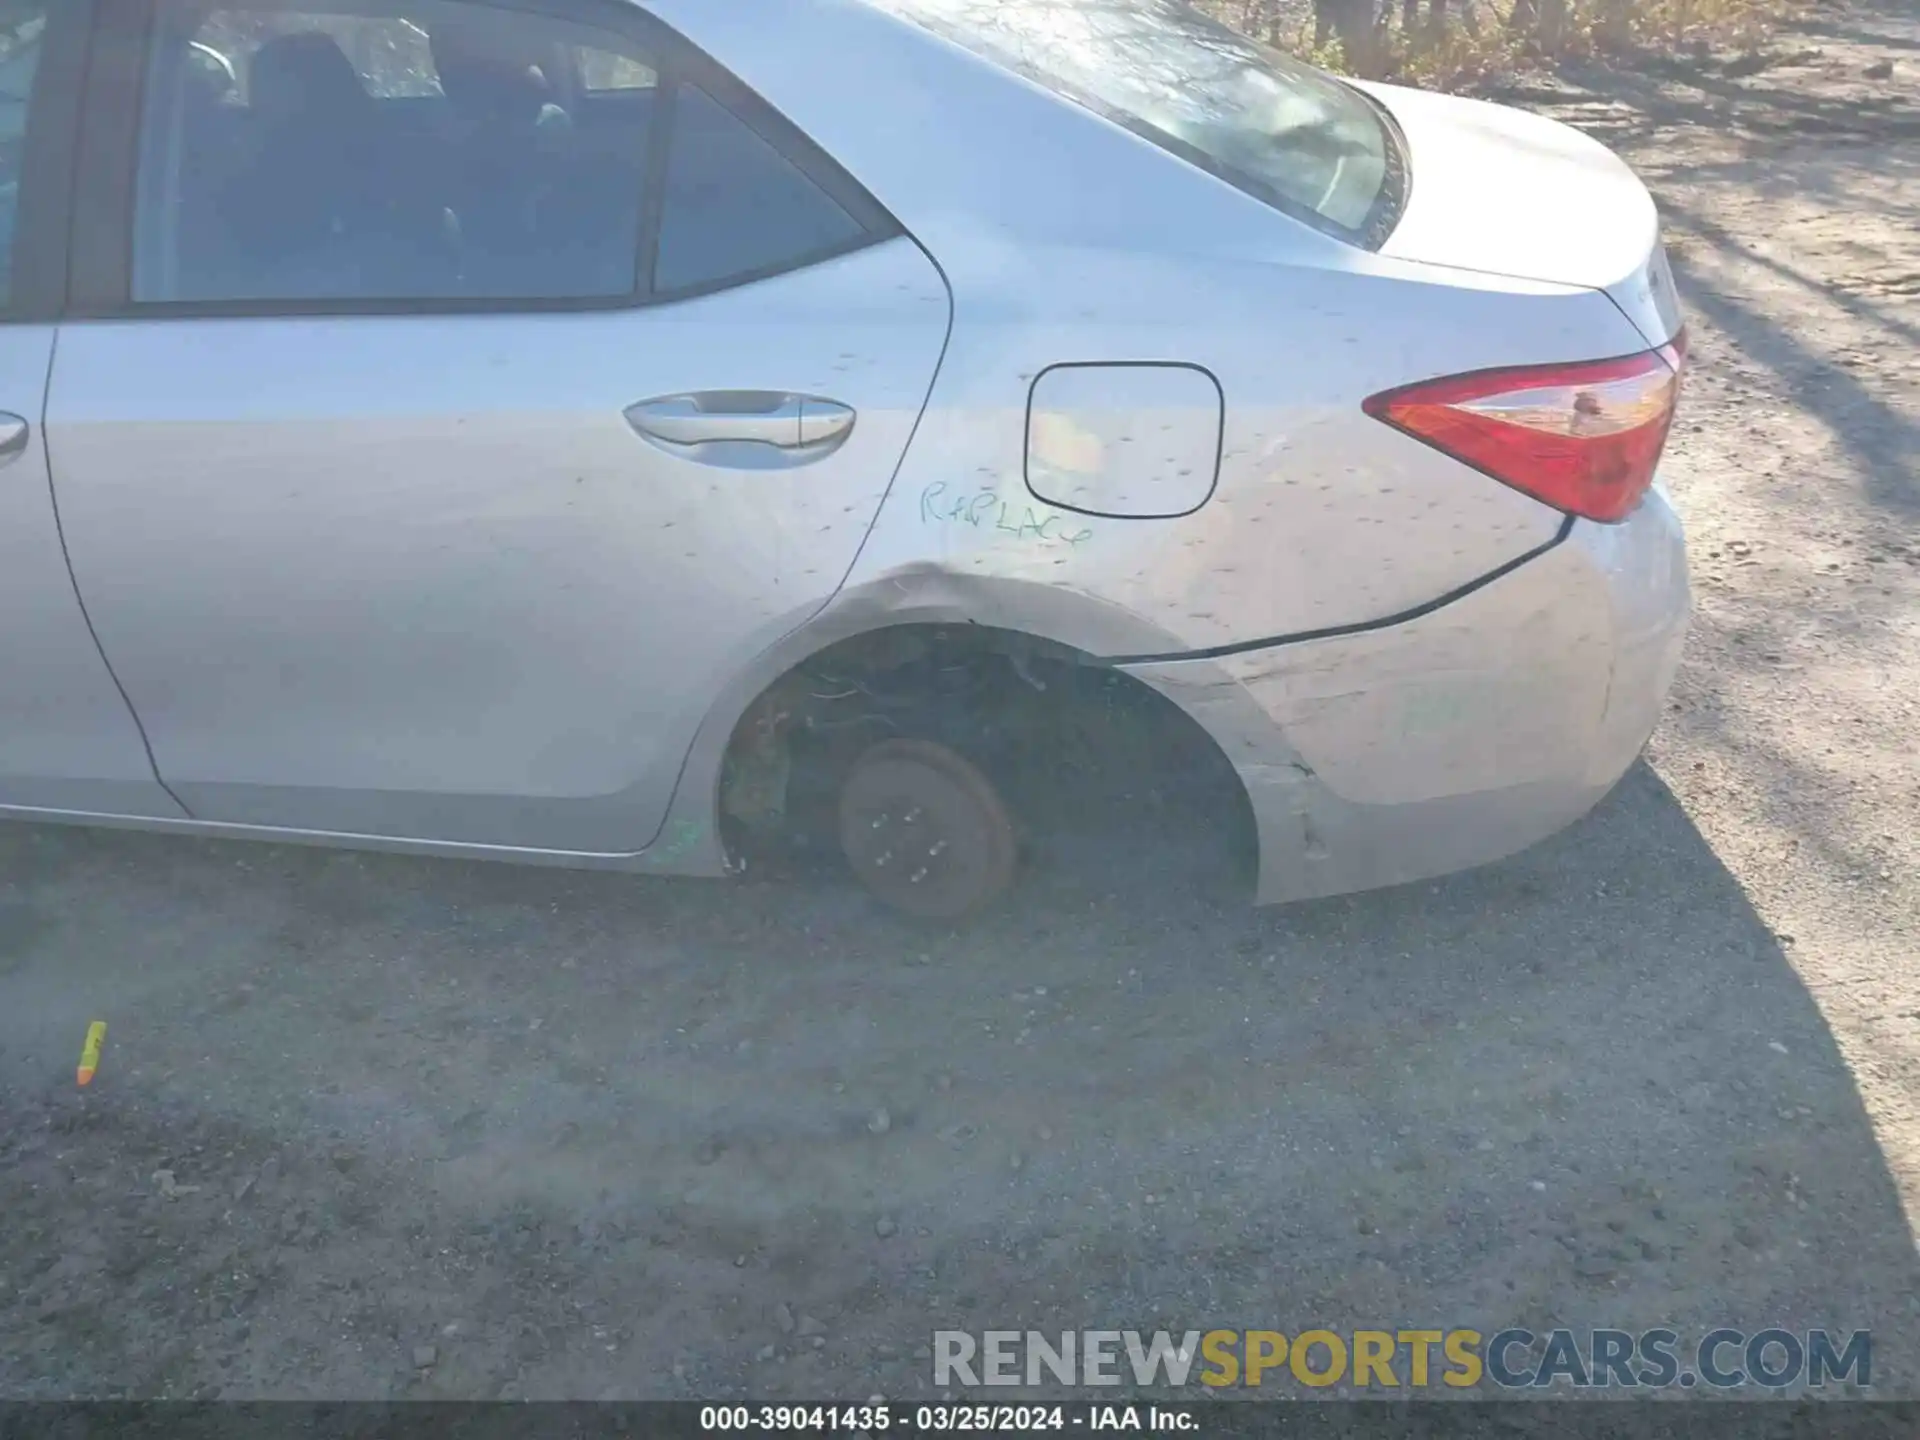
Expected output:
(1076, 746)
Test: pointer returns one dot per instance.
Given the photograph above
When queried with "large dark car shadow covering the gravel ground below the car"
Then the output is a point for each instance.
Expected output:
(454, 1130)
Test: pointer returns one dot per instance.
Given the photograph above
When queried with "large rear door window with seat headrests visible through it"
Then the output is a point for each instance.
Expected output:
(389, 151)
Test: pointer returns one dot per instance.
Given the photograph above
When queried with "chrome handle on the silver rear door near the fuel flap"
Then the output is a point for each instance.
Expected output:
(744, 429)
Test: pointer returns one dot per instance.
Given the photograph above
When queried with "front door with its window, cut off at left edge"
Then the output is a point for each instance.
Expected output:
(66, 736)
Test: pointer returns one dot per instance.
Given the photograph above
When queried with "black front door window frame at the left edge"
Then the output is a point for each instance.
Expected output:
(45, 208)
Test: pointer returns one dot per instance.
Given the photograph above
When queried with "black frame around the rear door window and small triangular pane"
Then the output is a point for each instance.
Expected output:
(105, 203)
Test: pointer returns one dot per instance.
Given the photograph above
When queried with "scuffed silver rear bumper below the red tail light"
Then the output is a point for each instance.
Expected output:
(1456, 738)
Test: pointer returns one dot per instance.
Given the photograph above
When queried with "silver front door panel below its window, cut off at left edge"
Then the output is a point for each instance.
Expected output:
(66, 736)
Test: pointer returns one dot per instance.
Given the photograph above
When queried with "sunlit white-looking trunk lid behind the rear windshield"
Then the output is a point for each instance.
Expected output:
(1506, 193)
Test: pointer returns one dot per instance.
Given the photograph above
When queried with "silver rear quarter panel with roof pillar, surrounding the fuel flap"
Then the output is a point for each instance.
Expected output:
(1070, 241)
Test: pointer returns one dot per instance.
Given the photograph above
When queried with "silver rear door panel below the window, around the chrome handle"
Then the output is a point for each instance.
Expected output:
(420, 575)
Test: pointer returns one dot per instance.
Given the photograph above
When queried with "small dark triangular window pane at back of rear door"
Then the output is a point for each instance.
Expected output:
(736, 206)
